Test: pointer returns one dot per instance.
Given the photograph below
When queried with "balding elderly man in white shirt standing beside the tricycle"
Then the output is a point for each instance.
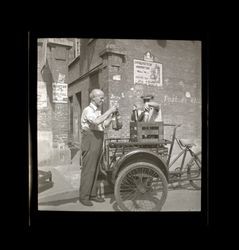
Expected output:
(93, 124)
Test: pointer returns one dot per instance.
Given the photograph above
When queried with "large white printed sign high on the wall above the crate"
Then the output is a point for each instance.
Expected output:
(147, 73)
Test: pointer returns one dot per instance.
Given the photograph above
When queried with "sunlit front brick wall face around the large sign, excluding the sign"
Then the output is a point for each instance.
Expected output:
(181, 74)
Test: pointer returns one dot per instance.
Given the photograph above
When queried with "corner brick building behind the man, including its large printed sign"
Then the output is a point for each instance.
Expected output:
(126, 69)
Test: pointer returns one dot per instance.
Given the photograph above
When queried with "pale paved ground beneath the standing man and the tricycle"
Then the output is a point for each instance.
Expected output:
(64, 195)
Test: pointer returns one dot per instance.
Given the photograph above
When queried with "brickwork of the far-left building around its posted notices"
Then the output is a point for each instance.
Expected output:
(53, 119)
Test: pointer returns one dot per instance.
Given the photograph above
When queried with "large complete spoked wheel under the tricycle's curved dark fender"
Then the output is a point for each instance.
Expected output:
(141, 186)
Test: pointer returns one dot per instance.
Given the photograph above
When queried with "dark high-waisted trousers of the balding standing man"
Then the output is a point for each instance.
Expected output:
(91, 146)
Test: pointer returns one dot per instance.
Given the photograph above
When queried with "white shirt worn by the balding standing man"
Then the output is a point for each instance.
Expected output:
(89, 114)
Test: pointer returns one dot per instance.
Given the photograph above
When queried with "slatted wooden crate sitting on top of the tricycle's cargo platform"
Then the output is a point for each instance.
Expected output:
(146, 131)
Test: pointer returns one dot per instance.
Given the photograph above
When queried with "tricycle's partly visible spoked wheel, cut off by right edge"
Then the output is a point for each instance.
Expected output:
(194, 171)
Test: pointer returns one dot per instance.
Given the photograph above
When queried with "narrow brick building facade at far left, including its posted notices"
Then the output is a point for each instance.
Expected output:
(52, 101)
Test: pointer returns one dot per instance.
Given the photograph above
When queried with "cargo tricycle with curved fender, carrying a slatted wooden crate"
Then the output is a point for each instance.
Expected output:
(138, 167)
